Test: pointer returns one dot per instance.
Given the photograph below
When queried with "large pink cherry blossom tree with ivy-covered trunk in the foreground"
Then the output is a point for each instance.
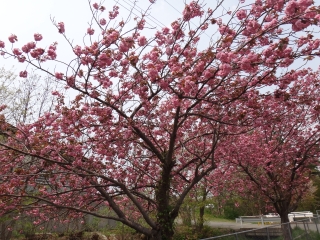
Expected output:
(150, 112)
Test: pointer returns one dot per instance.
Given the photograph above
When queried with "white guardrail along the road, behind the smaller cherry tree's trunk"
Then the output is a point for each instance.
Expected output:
(273, 218)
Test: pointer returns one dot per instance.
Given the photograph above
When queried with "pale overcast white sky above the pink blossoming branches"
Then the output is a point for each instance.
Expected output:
(26, 17)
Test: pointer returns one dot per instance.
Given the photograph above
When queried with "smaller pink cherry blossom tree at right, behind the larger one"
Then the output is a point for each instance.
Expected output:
(277, 158)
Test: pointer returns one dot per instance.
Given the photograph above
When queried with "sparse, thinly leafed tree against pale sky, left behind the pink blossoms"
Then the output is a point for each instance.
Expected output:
(26, 99)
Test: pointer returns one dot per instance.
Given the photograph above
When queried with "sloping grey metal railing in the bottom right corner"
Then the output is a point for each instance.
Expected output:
(306, 229)
